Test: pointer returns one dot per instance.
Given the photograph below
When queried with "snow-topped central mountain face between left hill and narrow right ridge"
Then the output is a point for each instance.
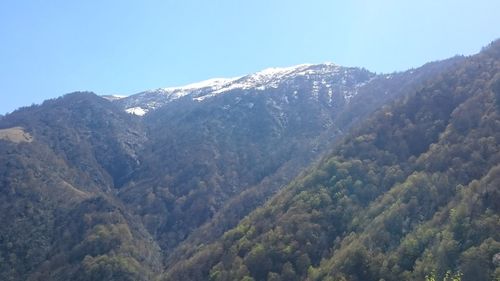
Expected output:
(252, 140)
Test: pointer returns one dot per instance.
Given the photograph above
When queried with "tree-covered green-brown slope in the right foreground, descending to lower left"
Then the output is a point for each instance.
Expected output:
(410, 192)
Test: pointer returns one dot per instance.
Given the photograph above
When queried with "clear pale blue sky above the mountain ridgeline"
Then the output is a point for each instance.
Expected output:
(52, 47)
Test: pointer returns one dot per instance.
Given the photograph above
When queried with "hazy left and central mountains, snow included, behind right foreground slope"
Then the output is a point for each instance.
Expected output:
(120, 188)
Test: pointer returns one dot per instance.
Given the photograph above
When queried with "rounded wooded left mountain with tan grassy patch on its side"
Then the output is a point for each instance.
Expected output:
(60, 220)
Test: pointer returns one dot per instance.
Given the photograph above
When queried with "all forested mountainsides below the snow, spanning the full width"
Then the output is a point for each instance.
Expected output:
(401, 182)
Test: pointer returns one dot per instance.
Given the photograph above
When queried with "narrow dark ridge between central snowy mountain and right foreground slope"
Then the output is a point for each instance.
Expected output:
(372, 95)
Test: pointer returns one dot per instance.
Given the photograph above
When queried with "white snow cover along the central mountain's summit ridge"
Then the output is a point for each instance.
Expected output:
(328, 77)
